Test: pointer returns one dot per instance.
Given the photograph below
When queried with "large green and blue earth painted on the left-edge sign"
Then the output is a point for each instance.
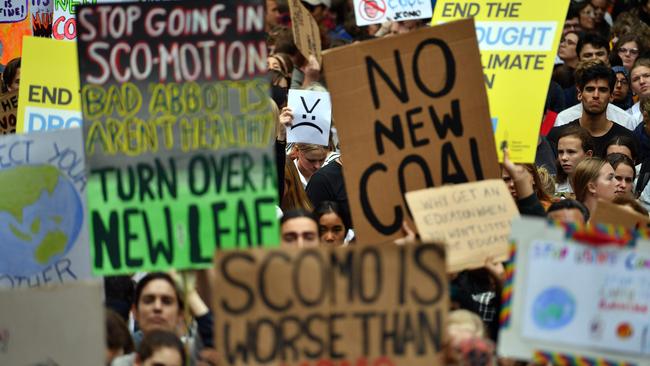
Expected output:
(40, 218)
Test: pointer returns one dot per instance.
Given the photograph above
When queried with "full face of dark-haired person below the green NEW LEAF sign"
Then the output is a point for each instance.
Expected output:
(158, 307)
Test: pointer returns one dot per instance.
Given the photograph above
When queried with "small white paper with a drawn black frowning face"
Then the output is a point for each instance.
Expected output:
(312, 117)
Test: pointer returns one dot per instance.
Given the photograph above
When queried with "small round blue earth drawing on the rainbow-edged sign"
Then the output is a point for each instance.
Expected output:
(553, 308)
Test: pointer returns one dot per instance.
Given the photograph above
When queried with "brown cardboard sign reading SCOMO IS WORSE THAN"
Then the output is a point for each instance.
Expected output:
(364, 305)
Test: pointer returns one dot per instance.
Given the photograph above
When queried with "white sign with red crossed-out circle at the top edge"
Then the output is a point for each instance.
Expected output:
(378, 11)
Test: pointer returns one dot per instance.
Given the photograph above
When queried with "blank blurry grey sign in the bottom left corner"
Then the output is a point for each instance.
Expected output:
(62, 325)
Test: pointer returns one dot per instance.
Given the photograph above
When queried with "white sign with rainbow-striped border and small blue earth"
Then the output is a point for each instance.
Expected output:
(569, 301)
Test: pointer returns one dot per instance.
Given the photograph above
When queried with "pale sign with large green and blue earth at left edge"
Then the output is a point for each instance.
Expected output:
(43, 221)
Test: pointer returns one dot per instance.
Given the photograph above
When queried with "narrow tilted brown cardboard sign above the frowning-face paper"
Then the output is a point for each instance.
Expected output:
(306, 33)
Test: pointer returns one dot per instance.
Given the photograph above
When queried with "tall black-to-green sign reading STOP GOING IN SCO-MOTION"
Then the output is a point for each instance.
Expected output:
(179, 132)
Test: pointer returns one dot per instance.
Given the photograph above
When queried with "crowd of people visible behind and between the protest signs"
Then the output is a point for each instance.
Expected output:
(598, 149)
